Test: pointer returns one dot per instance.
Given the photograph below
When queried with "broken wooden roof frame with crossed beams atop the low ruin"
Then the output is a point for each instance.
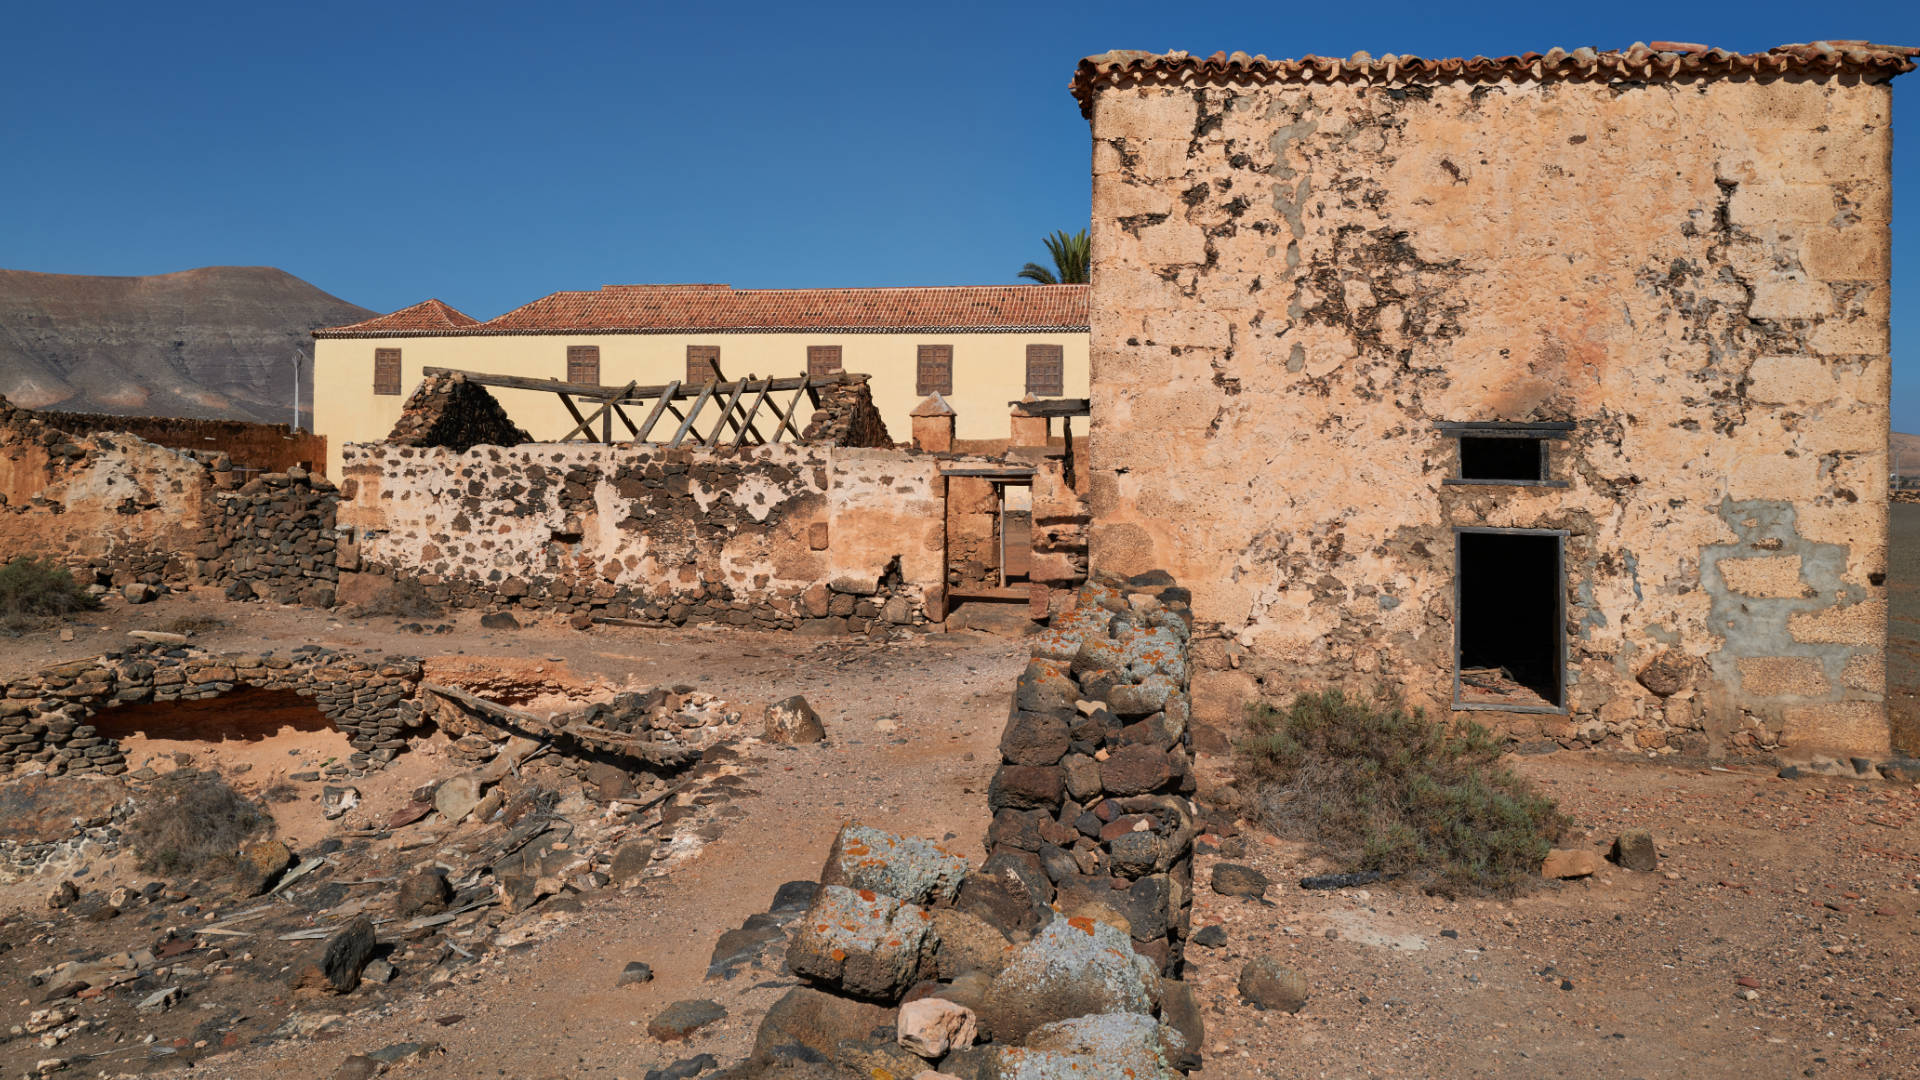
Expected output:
(734, 416)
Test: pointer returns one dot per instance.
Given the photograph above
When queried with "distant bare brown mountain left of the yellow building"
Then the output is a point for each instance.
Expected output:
(214, 343)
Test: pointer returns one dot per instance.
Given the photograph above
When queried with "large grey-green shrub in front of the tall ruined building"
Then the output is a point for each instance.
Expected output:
(1385, 789)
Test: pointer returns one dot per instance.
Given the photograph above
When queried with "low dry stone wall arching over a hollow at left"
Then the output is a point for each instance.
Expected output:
(45, 716)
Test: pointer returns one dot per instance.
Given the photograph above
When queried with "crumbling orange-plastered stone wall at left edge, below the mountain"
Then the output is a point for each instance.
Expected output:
(122, 510)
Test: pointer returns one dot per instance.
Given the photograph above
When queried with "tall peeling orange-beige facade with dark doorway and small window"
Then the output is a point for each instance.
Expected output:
(1293, 283)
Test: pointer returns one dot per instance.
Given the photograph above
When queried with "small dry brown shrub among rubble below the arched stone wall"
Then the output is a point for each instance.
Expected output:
(193, 825)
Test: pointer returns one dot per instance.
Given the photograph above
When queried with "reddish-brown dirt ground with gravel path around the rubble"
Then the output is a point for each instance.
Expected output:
(1779, 937)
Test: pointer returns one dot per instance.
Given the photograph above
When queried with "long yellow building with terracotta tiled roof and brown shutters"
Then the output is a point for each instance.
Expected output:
(980, 347)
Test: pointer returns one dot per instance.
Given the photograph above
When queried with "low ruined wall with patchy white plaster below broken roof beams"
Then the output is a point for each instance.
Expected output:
(777, 537)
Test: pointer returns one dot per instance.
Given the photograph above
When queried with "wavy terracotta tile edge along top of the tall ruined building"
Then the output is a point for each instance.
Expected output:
(1643, 62)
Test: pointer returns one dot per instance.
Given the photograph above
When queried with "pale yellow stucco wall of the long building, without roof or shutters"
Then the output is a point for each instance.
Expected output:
(990, 372)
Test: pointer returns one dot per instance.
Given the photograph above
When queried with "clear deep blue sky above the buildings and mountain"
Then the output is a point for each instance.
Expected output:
(494, 153)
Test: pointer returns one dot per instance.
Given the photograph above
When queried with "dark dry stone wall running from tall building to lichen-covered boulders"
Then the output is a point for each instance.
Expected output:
(1092, 804)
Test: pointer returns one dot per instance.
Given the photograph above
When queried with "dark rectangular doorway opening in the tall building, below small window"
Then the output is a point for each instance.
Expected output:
(1510, 620)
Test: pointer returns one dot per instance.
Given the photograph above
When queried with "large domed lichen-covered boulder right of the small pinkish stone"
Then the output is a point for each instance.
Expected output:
(1074, 968)
